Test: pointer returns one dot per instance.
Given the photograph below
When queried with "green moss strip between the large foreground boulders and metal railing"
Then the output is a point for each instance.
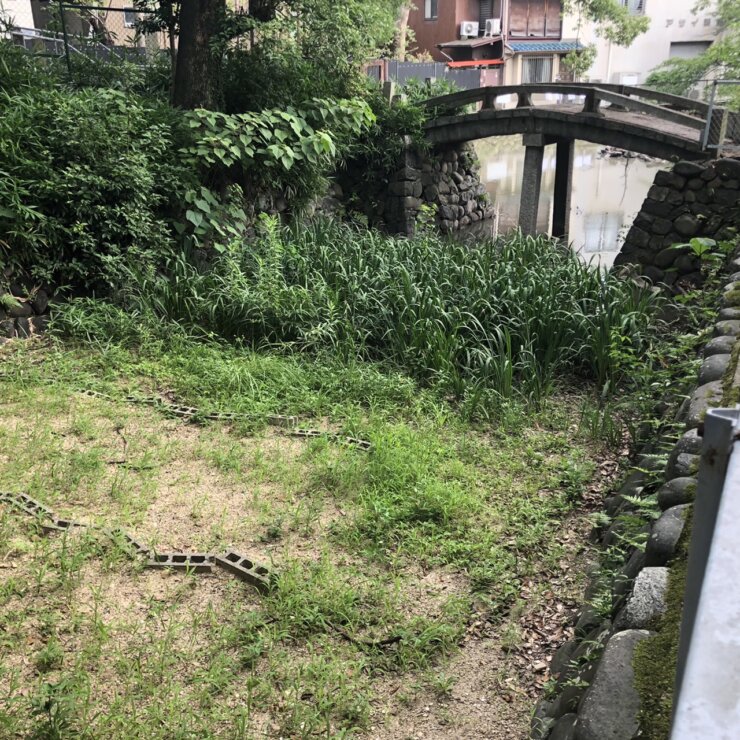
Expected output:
(654, 663)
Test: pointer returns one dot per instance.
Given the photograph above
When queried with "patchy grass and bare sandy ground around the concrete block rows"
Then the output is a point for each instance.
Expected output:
(406, 574)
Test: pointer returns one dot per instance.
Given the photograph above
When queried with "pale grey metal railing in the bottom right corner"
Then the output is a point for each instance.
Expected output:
(708, 668)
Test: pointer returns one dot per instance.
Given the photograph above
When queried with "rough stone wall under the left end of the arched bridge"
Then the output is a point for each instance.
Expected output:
(446, 179)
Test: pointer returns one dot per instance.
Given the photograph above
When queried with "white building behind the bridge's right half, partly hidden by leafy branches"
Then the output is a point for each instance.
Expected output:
(675, 31)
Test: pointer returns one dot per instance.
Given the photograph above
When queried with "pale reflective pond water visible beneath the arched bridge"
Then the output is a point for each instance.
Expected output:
(607, 192)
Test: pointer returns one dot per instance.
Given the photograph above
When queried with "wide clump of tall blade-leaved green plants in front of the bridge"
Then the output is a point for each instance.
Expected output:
(498, 320)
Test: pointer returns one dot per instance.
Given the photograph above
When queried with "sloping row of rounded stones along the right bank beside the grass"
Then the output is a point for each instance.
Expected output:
(595, 695)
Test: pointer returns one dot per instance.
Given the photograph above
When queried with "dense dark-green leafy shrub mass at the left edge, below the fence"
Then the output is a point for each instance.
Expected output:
(86, 178)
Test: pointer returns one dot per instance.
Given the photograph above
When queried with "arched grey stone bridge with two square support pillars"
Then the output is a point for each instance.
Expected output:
(633, 118)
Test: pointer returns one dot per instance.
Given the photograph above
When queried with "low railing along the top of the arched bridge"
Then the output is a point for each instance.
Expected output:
(691, 114)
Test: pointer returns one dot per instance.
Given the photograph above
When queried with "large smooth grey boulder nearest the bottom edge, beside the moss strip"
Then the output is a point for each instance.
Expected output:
(610, 706)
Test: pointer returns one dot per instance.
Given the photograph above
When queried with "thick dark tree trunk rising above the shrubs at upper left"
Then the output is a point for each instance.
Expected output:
(197, 72)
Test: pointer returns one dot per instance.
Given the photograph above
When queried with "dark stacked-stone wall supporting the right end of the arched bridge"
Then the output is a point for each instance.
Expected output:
(691, 200)
